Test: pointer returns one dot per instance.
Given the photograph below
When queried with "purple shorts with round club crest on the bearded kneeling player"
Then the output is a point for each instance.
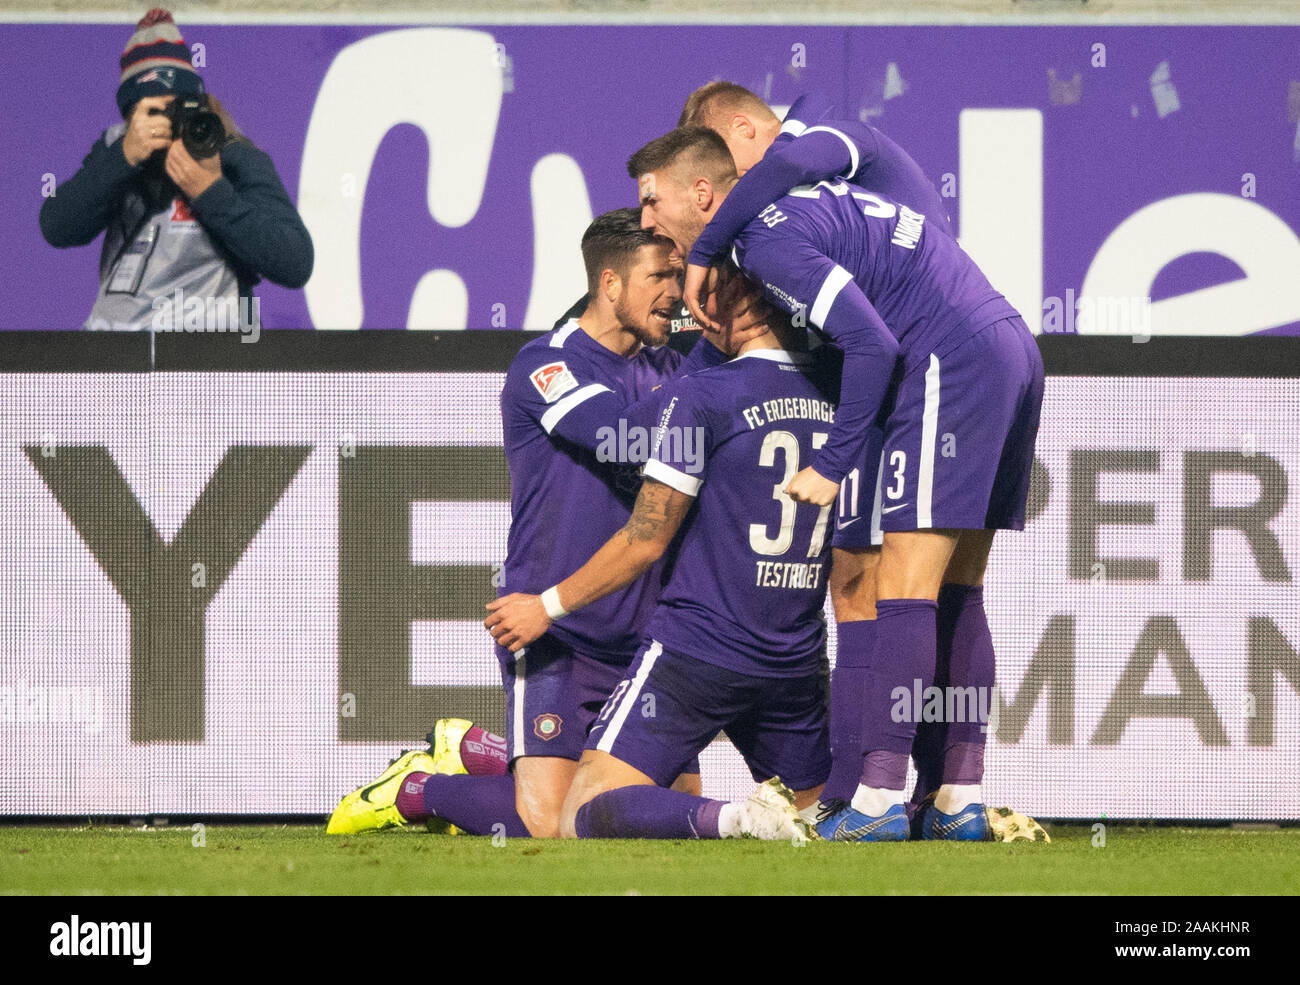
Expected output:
(553, 695)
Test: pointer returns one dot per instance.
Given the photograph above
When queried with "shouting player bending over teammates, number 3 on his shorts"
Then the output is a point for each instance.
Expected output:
(959, 439)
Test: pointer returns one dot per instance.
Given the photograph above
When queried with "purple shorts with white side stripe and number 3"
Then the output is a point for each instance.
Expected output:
(959, 445)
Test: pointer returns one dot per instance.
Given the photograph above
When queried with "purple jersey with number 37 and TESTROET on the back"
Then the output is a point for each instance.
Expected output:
(751, 576)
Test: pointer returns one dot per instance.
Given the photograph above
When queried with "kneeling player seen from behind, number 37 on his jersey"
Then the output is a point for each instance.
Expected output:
(738, 640)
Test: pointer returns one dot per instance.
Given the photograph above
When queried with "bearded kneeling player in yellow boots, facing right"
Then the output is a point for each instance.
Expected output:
(571, 398)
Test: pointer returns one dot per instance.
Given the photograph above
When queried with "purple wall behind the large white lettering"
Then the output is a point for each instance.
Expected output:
(597, 94)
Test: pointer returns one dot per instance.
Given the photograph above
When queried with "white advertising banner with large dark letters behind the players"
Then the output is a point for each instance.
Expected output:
(242, 593)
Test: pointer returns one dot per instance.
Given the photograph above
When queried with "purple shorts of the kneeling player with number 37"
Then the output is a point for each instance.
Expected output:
(671, 706)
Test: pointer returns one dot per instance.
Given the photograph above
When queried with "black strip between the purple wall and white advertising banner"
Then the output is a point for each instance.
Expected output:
(404, 352)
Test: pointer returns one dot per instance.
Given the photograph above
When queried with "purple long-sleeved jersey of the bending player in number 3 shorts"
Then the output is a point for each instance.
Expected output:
(864, 271)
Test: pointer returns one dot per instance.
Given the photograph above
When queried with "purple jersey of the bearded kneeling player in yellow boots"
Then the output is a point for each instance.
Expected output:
(565, 398)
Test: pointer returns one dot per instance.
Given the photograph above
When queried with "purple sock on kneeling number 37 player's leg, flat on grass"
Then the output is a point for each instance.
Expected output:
(648, 813)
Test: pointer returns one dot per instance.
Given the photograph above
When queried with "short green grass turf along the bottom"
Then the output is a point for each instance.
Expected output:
(298, 860)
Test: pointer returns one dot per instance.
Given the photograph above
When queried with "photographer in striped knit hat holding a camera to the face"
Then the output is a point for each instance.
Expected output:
(190, 209)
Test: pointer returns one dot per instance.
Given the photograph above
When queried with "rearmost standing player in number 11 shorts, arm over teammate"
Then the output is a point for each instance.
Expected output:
(772, 158)
